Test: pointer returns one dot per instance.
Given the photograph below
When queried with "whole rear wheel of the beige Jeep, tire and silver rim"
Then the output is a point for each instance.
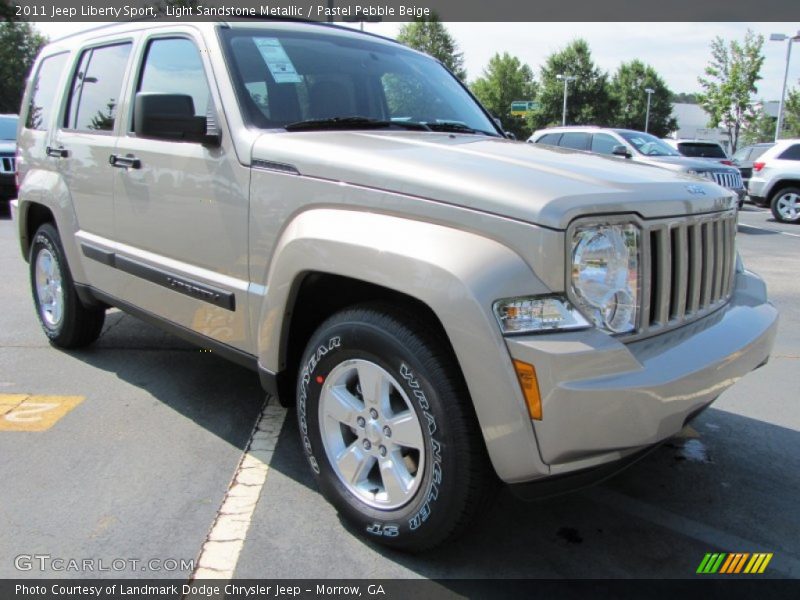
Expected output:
(65, 320)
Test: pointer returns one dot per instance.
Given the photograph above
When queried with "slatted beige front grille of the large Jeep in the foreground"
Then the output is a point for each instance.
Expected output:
(687, 270)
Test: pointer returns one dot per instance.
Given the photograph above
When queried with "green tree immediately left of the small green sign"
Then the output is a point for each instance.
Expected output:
(504, 80)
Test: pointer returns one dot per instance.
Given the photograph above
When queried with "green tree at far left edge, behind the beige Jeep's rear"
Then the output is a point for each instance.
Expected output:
(19, 45)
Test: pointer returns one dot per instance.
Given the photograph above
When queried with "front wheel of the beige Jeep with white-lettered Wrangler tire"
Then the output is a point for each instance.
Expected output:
(388, 429)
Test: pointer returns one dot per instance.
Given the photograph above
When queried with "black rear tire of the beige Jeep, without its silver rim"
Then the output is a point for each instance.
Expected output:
(77, 325)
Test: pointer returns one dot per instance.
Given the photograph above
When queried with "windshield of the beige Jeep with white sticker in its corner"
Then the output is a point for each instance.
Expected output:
(320, 77)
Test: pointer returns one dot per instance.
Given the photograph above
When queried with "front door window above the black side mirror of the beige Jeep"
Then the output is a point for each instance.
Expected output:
(174, 66)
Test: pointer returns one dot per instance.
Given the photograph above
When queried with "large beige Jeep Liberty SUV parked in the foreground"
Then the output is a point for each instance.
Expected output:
(444, 306)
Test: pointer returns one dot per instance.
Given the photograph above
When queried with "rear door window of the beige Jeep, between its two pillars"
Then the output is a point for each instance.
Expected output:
(96, 88)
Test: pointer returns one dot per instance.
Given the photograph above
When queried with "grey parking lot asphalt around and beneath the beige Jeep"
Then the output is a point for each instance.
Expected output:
(139, 463)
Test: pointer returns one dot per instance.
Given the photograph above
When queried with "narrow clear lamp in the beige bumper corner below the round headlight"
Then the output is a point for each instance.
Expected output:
(532, 314)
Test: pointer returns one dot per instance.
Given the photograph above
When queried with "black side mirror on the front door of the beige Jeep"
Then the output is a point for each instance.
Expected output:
(170, 117)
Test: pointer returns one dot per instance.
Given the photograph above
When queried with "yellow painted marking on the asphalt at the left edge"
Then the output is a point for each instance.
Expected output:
(26, 412)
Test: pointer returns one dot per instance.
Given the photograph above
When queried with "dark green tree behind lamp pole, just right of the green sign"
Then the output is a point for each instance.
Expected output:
(589, 101)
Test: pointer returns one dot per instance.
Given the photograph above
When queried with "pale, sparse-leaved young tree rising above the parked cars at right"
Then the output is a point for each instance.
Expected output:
(730, 82)
